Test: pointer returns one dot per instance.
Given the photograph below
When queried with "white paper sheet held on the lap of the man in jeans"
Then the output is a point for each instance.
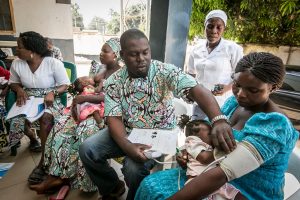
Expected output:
(161, 140)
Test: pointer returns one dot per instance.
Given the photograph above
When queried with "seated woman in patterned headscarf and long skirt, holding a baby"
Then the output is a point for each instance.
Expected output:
(62, 163)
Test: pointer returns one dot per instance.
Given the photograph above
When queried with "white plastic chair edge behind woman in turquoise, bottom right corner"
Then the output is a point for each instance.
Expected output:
(291, 186)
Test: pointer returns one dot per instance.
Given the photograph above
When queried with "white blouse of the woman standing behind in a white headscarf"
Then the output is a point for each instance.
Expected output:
(216, 67)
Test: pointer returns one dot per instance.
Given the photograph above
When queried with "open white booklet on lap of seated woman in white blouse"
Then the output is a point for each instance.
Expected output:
(32, 110)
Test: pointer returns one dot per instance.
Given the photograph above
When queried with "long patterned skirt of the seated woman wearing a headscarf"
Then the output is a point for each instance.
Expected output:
(62, 151)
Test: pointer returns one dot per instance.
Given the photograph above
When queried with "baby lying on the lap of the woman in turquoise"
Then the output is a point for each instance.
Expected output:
(199, 147)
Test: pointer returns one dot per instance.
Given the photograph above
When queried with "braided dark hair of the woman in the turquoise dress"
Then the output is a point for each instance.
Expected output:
(264, 66)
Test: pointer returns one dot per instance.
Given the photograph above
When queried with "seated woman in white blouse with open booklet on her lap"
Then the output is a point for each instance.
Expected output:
(37, 74)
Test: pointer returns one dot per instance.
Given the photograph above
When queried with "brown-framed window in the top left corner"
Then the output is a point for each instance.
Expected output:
(7, 24)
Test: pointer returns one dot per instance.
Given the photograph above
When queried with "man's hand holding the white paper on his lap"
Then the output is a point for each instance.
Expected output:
(136, 152)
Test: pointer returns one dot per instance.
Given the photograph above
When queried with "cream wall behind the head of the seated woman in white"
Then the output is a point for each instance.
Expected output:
(48, 18)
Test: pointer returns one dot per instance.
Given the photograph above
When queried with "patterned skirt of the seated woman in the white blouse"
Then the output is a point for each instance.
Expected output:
(17, 124)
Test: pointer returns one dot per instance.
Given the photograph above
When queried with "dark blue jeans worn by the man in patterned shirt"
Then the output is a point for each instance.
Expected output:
(95, 151)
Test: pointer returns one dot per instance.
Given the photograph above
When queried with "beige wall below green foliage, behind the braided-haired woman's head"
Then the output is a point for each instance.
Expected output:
(289, 55)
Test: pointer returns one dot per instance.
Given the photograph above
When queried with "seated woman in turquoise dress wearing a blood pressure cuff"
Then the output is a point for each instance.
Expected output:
(266, 139)
